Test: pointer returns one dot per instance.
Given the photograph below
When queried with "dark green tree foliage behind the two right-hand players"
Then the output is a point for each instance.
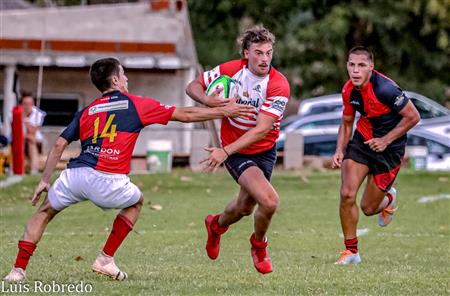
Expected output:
(410, 39)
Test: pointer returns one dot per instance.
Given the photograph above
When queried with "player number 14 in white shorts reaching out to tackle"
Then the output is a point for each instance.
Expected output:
(107, 129)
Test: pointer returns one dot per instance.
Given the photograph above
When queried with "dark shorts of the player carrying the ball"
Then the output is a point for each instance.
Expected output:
(237, 163)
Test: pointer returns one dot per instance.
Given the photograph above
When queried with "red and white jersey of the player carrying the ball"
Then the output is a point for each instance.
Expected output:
(269, 95)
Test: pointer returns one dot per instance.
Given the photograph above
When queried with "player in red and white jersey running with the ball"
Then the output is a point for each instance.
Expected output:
(248, 142)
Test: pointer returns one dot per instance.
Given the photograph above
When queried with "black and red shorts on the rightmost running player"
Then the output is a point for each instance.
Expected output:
(383, 166)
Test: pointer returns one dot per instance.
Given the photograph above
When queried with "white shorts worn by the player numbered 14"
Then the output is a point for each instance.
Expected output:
(108, 191)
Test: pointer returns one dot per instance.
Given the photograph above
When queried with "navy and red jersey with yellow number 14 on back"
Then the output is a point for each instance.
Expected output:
(109, 127)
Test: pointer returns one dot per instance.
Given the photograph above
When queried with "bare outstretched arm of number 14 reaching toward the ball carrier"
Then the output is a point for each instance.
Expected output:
(193, 114)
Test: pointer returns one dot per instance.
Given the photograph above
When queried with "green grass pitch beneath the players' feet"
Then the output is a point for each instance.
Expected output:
(165, 254)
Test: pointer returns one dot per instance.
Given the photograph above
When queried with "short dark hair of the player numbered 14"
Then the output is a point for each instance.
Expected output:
(102, 71)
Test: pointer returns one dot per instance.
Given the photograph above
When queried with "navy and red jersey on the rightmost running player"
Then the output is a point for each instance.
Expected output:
(379, 103)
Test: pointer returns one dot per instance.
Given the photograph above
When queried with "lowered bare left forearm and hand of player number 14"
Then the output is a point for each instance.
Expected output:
(52, 160)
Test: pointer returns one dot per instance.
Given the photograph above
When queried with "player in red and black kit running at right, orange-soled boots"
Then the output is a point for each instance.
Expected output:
(376, 149)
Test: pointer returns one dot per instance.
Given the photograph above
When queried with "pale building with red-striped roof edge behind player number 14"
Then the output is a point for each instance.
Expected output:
(48, 51)
